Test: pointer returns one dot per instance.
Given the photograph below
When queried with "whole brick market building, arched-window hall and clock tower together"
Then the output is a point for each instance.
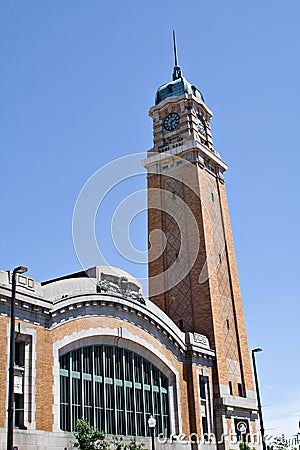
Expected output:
(90, 345)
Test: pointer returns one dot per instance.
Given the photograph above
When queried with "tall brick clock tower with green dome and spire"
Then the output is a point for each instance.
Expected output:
(192, 267)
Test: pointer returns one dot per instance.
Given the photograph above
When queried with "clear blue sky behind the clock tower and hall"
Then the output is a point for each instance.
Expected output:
(77, 81)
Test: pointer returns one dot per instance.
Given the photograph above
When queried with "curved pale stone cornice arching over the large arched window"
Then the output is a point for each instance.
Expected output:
(141, 312)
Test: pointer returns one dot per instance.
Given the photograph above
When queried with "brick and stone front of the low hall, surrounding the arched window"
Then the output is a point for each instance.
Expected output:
(73, 321)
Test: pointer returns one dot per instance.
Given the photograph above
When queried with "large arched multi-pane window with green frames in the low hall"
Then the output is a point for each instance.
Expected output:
(115, 389)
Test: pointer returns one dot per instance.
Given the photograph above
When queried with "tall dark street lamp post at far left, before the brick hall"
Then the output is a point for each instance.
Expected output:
(10, 409)
